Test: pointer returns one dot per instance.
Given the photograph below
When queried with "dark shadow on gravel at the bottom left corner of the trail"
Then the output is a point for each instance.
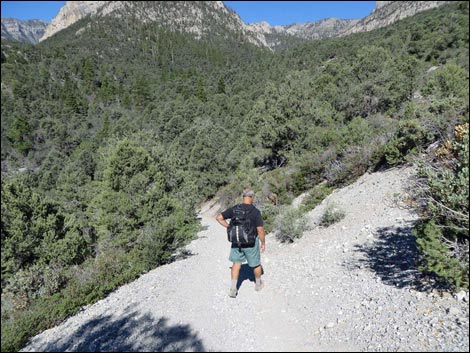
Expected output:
(132, 332)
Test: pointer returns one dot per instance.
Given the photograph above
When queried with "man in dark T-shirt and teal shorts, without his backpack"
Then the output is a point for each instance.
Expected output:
(250, 254)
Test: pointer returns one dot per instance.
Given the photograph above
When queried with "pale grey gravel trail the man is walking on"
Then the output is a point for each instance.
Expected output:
(350, 287)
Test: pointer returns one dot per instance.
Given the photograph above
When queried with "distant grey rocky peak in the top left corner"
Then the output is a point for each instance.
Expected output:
(23, 31)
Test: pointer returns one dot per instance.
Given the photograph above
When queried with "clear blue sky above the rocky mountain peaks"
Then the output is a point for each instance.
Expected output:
(274, 12)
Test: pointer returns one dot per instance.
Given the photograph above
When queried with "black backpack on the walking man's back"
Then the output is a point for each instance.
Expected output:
(240, 231)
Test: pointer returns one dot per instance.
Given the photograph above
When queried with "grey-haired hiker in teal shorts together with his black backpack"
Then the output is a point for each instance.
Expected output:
(248, 251)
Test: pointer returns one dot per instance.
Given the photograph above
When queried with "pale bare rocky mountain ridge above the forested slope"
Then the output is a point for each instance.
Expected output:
(189, 16)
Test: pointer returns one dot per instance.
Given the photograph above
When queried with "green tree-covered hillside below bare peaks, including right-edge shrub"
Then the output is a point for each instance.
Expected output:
(112, 136)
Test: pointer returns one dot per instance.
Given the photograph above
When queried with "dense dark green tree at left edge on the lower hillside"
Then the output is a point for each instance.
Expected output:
(35, 230)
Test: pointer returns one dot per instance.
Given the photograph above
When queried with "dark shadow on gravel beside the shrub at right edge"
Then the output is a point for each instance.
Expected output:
(394, 257)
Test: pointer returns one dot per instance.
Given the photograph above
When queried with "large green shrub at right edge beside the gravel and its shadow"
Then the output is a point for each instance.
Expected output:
(442, 194)
